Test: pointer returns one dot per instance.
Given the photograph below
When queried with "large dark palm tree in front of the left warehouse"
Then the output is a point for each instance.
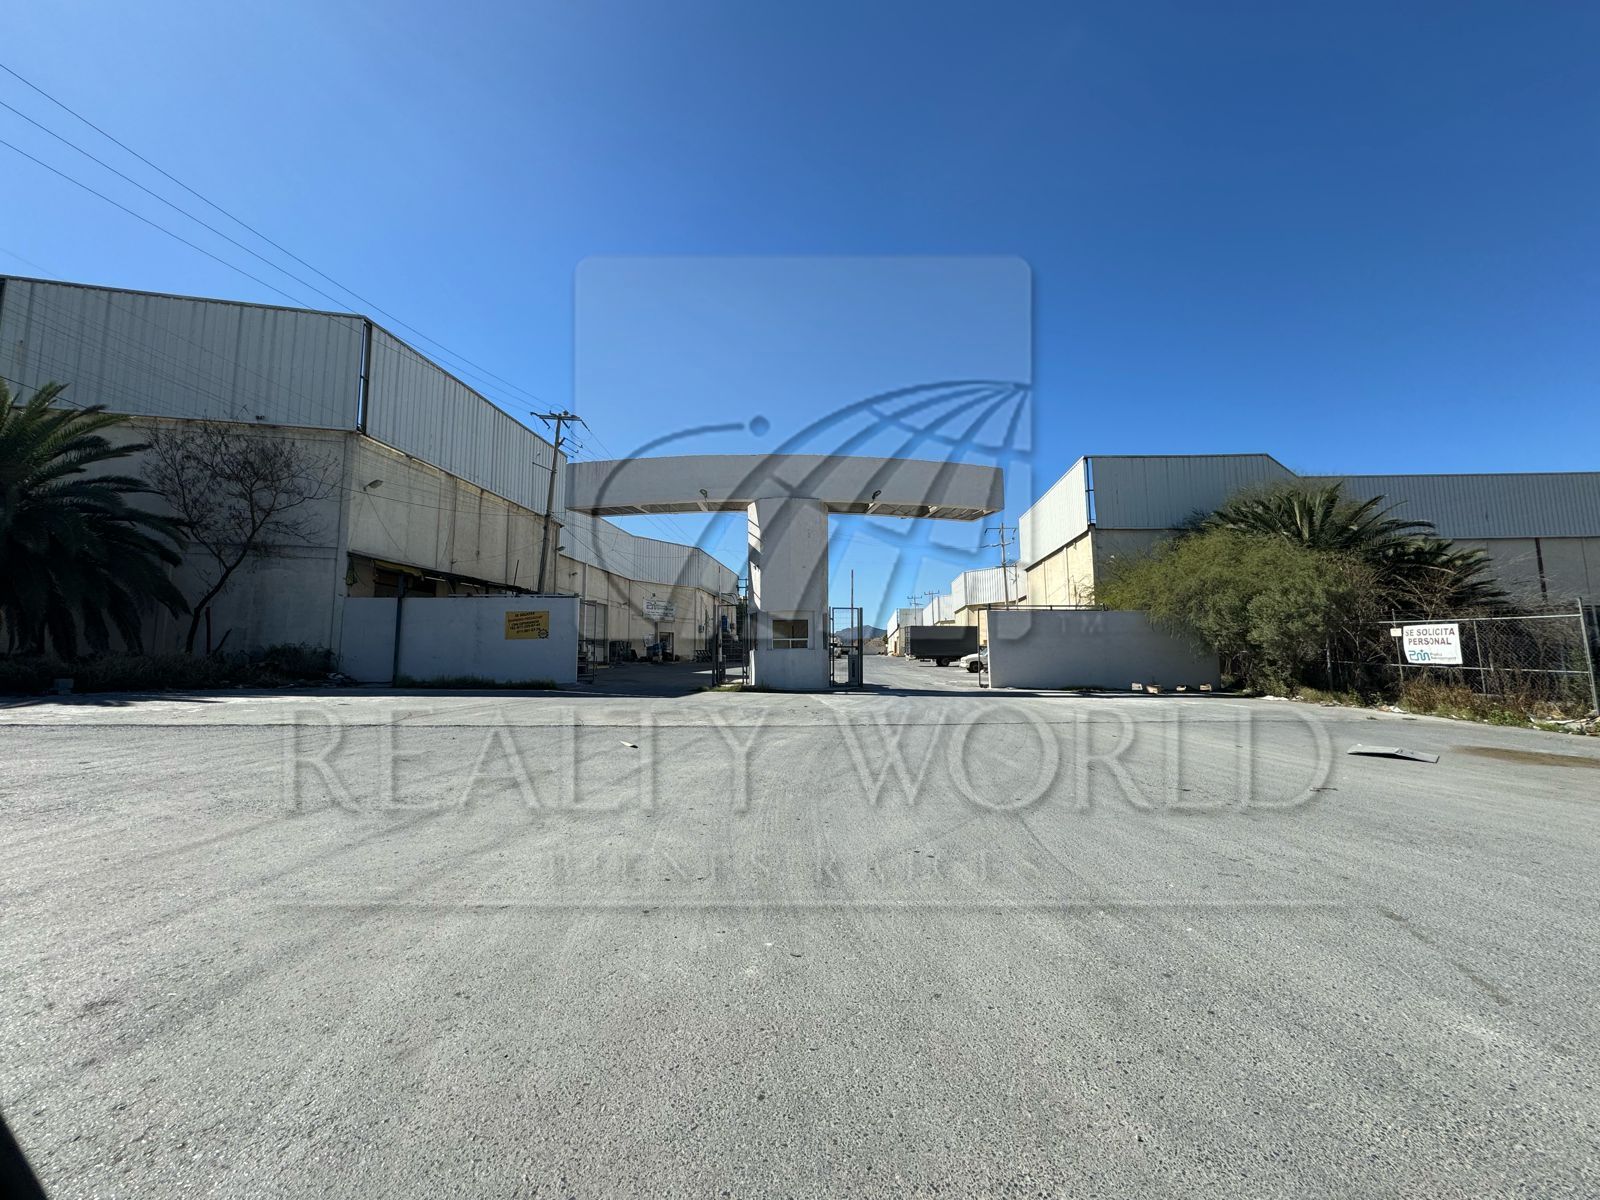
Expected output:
(74, 556)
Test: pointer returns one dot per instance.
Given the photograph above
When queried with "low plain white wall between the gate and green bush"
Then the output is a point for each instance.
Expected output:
(1090, 649)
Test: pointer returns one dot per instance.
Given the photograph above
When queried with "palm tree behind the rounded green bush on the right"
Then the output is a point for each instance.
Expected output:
(1418, 570)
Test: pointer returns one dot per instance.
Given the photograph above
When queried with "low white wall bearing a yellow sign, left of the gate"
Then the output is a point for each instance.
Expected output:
(460, 636)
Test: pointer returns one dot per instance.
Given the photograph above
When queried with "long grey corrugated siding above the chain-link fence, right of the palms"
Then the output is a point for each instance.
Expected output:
(1492, 506)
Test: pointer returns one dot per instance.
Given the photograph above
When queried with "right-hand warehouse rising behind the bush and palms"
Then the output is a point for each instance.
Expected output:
(1542, 532)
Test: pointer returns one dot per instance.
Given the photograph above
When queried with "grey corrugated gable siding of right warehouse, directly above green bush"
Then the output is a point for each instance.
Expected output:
(1140, 492)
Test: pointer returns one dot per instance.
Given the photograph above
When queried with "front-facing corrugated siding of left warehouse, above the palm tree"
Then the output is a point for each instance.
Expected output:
(164, 356)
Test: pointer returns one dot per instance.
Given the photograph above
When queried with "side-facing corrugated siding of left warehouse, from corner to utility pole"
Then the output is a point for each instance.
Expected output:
(417, 407)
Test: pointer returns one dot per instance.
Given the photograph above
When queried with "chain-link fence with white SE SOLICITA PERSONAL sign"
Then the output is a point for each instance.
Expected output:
(1532, 658)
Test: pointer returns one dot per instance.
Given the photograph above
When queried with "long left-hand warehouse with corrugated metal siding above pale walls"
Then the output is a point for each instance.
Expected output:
(433, 490)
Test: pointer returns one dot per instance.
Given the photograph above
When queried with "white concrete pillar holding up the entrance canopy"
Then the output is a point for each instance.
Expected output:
(790, 580)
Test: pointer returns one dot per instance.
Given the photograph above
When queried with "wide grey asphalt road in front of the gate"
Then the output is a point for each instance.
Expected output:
(924, 940)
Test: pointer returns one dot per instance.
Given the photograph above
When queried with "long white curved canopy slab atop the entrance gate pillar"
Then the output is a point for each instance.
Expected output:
(882, 487)
